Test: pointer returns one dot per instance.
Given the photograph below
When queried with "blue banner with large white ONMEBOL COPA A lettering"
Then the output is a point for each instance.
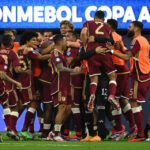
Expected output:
(49, 13)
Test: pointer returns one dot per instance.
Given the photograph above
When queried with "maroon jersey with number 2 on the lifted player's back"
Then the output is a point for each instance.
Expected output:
(97, 29)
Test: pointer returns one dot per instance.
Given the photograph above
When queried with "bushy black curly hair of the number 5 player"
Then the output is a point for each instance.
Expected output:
(27, 36)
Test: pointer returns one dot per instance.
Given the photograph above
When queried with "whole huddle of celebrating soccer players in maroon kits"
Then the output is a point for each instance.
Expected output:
(86, 79)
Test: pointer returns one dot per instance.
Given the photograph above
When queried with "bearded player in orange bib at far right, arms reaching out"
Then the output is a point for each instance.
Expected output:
(140, 72)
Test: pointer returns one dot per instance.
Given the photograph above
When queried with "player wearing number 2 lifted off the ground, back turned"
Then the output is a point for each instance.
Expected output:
(98, 28)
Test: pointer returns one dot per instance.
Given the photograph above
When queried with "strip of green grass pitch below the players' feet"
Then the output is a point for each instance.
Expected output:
(48, 145)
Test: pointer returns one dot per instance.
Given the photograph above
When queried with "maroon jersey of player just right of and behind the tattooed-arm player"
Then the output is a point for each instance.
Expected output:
(72, 56)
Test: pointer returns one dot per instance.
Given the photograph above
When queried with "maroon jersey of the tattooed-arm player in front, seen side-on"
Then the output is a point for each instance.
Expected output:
(61, 80)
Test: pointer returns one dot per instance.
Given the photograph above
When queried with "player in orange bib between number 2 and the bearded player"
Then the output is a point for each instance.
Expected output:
(122, 93)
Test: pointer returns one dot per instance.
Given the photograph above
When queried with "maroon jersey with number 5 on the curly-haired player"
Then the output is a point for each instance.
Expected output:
(26, 63)
